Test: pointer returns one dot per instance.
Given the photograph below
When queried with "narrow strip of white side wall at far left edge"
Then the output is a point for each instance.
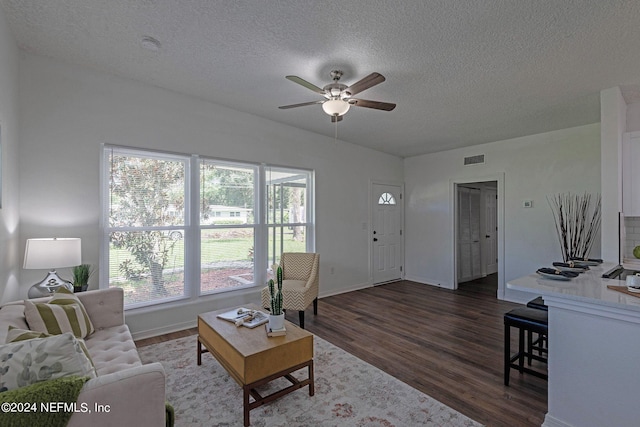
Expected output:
(9, 212)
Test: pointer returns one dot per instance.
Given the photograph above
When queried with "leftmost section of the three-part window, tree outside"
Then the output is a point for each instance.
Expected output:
(146, 220)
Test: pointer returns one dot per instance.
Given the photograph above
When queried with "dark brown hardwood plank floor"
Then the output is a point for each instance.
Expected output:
(447, 344)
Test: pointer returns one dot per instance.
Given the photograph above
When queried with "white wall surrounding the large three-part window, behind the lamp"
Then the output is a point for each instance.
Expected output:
(68, 111)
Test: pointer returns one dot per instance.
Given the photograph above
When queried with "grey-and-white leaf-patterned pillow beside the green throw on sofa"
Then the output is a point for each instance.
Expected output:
(39, 359)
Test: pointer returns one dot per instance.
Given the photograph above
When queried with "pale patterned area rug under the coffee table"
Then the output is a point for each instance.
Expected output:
(348, 392)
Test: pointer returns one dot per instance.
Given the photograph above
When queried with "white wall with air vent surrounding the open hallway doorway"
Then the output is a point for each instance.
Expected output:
(532, 167)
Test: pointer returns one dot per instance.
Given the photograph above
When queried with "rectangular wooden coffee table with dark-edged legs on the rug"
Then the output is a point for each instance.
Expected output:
(253, 359)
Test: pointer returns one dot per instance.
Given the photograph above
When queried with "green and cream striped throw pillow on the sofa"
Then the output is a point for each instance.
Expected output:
(63, 313)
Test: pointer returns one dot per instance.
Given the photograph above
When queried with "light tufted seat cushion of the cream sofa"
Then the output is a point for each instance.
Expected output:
(112, 350)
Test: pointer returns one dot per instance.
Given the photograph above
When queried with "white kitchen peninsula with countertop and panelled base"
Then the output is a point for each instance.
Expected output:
(594, 349)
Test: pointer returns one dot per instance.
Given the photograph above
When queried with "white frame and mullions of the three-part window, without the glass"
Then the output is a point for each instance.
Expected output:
(192, 227)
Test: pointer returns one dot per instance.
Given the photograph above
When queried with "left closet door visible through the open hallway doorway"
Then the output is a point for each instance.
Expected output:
(469, 251)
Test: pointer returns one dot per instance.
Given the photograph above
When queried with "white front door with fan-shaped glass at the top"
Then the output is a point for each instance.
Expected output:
(386, 236)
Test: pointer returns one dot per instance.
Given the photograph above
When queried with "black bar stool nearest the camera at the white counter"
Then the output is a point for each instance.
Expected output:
(529, 320)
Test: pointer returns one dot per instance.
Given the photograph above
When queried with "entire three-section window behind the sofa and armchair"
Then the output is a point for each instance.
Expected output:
(180, 226)
